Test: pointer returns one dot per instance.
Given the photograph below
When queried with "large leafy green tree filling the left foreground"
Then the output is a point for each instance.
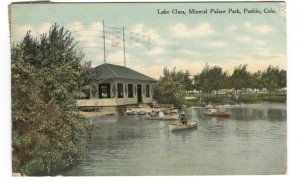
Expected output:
(47, 76)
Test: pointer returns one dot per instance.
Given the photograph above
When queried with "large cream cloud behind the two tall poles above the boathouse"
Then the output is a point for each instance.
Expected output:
(90, 39)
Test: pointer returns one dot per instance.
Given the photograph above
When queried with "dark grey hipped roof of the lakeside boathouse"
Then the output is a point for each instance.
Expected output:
(111, 71)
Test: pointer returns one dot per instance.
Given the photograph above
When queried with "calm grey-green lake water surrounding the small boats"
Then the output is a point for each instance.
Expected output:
(252, 141)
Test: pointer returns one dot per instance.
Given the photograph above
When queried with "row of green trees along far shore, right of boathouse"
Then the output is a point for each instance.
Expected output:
(173, 84)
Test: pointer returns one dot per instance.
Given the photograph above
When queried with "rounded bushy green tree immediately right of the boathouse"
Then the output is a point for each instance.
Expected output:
(170, 89)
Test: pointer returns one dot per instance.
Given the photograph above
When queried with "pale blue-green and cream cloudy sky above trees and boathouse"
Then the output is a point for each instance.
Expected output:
(154, 41)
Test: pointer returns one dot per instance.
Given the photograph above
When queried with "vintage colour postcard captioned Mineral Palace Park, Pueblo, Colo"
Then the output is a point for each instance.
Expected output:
(148, 88)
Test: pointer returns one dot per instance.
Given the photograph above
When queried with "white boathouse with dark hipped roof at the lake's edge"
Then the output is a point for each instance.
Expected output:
(117, 86)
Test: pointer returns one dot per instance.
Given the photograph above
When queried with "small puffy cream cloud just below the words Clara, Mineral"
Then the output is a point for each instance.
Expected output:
(180, 30)
